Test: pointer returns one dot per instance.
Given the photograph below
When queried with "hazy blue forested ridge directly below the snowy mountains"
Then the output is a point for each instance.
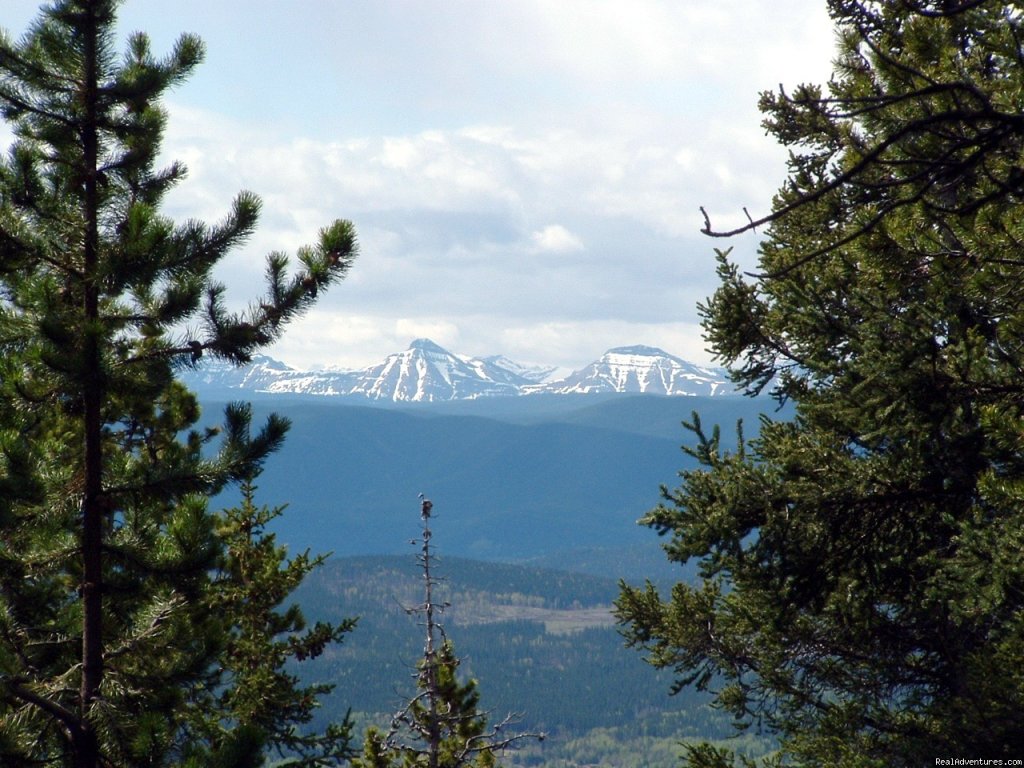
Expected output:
(503, 491)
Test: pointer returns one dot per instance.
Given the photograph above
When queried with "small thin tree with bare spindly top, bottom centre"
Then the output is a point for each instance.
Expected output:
(442, 727)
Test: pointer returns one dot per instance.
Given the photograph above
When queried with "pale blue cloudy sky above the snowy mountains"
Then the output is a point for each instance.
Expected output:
(526, 177)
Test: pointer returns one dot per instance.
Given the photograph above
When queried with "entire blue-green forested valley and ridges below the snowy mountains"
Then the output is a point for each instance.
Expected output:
(536, 503)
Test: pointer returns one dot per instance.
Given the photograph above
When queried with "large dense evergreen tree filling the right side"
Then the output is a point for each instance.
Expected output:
(863, 565)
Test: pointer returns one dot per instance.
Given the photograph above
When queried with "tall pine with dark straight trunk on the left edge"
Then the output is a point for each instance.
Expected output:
(106, 542)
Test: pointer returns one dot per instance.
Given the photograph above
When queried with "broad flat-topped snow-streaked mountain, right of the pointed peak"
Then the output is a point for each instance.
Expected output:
(641, 369)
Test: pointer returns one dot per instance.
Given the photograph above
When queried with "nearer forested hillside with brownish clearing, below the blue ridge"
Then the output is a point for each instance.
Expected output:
(541, 643)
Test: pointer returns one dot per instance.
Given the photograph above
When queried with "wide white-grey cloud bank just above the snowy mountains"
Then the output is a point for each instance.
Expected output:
(449, 223)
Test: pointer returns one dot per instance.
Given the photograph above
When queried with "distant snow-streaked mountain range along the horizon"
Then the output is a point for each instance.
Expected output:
(429, 373)
